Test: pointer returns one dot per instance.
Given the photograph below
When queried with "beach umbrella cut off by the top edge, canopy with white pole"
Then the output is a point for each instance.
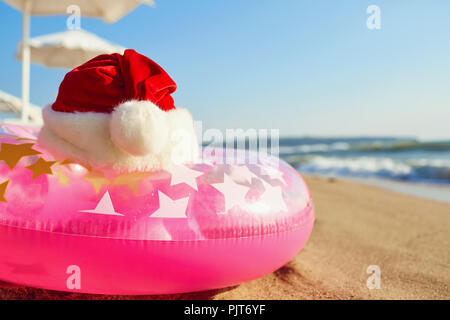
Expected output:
(108, 10)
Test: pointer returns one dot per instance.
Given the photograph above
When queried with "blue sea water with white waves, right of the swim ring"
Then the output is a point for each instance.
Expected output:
(387, 162)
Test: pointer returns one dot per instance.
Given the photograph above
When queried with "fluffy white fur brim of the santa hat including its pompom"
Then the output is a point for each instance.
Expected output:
(137, 136)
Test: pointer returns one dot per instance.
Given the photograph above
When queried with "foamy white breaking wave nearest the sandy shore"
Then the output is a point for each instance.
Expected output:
(435, 170)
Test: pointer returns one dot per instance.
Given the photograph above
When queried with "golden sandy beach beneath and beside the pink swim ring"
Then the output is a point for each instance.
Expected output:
(357, 225)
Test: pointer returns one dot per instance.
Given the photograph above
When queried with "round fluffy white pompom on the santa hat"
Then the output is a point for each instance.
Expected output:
(139, 128)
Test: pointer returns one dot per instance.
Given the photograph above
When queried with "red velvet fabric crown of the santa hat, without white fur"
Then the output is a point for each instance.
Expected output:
(108, 80)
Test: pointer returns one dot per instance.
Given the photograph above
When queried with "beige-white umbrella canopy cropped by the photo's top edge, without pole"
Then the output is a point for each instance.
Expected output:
(109, 10)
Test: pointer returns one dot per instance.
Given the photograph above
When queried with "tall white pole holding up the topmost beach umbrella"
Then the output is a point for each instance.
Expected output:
(26, 61)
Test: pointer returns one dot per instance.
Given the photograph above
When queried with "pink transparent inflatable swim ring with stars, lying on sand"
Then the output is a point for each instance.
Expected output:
(208, 225)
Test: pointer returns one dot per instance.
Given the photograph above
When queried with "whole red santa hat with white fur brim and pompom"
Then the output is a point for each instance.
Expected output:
(116, 111)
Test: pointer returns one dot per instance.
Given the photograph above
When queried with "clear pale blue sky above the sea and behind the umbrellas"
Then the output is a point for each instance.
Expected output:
(305, 67)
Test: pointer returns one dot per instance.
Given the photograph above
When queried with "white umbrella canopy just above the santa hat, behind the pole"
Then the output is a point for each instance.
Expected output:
(68, 49)
